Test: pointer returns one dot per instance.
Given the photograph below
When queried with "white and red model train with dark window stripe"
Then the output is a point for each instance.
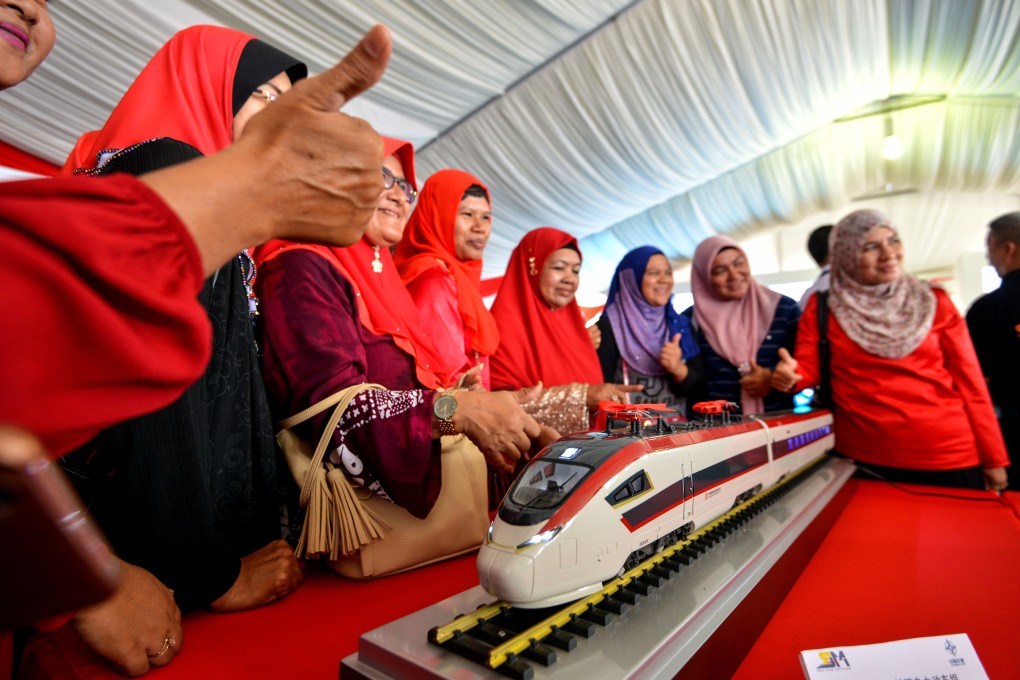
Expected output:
(593, 505)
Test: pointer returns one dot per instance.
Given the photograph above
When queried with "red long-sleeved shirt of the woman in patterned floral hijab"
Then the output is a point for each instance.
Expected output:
(930, 410)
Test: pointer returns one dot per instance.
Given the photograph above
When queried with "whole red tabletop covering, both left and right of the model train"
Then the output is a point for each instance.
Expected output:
(896, 565)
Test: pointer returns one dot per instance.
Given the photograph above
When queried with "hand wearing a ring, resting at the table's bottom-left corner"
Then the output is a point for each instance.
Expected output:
(130, 629)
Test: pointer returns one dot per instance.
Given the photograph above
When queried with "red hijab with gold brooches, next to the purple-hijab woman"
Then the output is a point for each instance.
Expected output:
(538, 343)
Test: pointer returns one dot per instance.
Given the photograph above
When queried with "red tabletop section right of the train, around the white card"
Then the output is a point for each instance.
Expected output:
(897, 565)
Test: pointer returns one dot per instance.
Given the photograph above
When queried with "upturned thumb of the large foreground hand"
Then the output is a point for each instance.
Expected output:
(361, 70)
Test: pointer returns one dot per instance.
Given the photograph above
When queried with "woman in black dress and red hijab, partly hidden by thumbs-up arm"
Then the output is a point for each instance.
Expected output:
(190, 493)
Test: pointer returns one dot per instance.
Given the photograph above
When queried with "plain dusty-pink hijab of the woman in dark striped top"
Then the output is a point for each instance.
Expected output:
(735, 329)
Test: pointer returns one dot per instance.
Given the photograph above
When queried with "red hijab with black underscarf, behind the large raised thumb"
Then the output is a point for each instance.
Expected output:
(189, 92)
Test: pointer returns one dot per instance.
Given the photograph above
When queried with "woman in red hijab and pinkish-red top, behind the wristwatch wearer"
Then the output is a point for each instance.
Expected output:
(440, 261)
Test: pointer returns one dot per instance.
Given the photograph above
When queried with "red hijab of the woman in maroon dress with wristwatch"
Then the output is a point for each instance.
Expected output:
(385, 305)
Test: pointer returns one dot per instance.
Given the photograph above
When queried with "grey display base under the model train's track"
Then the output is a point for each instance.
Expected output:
(655, 639)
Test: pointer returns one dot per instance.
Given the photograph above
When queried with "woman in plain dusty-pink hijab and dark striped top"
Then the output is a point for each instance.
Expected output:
(740, 327)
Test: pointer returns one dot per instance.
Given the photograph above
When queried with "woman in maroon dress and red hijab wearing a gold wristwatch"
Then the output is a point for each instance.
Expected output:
(334, 318)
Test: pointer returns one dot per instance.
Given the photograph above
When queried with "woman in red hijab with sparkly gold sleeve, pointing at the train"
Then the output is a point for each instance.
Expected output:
(543, 337)
